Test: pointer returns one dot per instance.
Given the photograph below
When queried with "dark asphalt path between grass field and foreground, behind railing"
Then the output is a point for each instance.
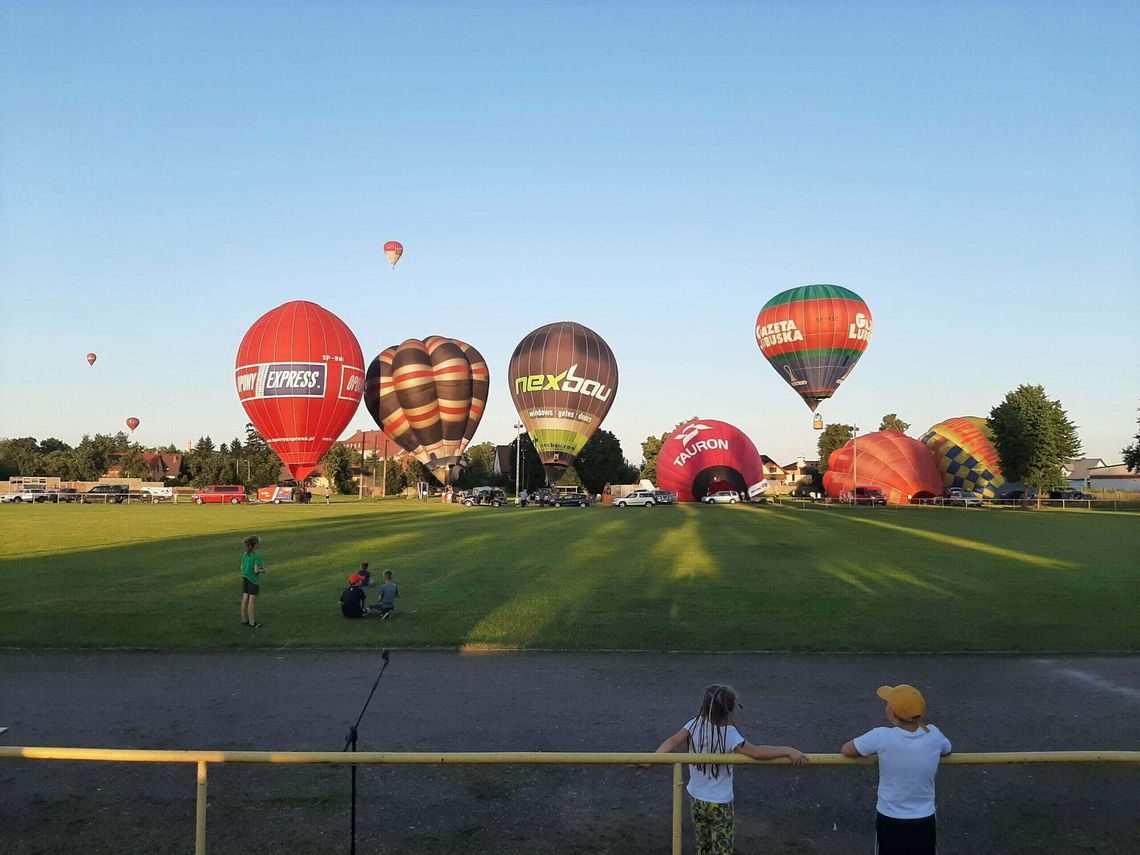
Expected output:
(539, 702)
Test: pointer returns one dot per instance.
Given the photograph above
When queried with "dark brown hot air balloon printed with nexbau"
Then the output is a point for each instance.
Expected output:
(564, 378)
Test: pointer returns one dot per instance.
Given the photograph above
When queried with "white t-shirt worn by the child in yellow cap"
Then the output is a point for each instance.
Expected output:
(908, 763)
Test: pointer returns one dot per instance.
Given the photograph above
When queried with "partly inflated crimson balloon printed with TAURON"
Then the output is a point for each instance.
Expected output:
(704, 457)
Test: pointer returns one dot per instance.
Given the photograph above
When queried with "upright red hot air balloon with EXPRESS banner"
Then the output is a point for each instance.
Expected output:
(300, 377)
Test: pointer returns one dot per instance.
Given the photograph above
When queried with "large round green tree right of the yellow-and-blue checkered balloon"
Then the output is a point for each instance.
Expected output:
(1035, 437)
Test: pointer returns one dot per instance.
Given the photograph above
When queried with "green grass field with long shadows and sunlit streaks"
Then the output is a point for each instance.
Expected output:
(697, 579)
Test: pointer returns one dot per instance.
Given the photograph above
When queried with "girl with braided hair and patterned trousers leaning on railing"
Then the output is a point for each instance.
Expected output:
(711, 786)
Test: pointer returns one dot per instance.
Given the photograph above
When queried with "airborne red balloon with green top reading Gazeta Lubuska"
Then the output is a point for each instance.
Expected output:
(813, 337)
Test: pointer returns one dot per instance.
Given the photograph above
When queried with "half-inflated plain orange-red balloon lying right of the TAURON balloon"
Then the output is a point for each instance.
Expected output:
(901, 467)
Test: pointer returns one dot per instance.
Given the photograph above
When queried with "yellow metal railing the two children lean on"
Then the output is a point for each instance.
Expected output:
(508, 759)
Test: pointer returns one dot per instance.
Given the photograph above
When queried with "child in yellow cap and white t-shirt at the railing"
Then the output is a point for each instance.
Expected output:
(909, 753)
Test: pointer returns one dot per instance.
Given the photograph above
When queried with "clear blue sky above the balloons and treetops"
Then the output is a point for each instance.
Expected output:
(655, 172)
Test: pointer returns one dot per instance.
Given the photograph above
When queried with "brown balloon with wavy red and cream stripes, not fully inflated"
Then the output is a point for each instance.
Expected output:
(429, 397)
